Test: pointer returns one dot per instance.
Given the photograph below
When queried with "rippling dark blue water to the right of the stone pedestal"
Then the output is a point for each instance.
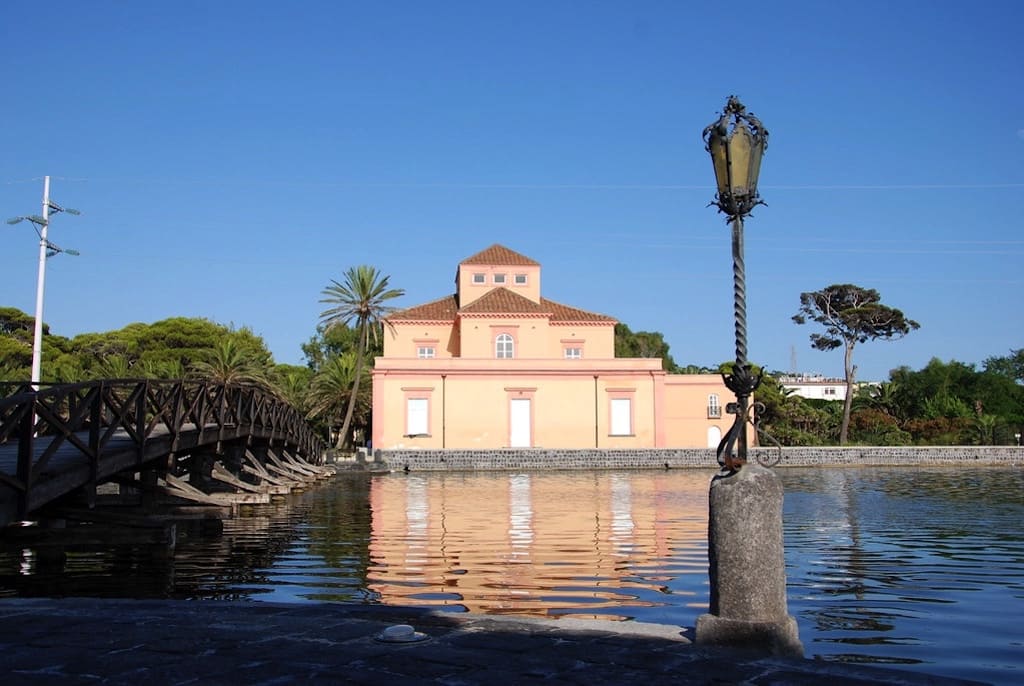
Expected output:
(909, 567)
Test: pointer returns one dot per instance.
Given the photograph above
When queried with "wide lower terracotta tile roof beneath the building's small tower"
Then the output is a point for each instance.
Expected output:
(498, 302)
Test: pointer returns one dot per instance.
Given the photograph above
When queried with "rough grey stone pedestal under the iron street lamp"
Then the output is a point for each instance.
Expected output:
(747, 567)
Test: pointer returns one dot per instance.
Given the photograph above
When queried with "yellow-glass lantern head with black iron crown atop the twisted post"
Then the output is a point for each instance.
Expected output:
(737, 142)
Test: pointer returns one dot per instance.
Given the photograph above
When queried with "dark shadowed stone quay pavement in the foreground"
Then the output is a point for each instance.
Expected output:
(153, 642)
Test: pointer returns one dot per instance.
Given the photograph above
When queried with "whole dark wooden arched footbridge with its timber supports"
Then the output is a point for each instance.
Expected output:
(190, 441)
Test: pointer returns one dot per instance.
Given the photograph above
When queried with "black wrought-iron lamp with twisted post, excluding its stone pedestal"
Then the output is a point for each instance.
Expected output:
(737, 142)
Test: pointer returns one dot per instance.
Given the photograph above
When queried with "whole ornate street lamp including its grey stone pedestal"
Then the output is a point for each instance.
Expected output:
(746, 562)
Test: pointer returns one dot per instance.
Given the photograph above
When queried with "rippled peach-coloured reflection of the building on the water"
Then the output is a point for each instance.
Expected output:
(580, 545)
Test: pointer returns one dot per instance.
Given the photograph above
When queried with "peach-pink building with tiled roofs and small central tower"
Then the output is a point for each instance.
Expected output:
(497, 365)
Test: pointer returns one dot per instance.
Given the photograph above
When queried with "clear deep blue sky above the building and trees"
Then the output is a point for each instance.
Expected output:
(230, 159)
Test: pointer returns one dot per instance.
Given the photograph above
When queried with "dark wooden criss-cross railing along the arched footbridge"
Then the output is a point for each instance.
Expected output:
(88, 416)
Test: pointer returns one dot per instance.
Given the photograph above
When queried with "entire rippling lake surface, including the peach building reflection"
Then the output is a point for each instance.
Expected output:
(912, 569)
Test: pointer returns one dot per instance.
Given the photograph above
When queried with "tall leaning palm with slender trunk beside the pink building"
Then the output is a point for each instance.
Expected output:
(361, 298)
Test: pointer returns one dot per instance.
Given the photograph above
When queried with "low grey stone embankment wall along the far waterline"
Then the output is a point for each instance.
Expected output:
(537, 459)
